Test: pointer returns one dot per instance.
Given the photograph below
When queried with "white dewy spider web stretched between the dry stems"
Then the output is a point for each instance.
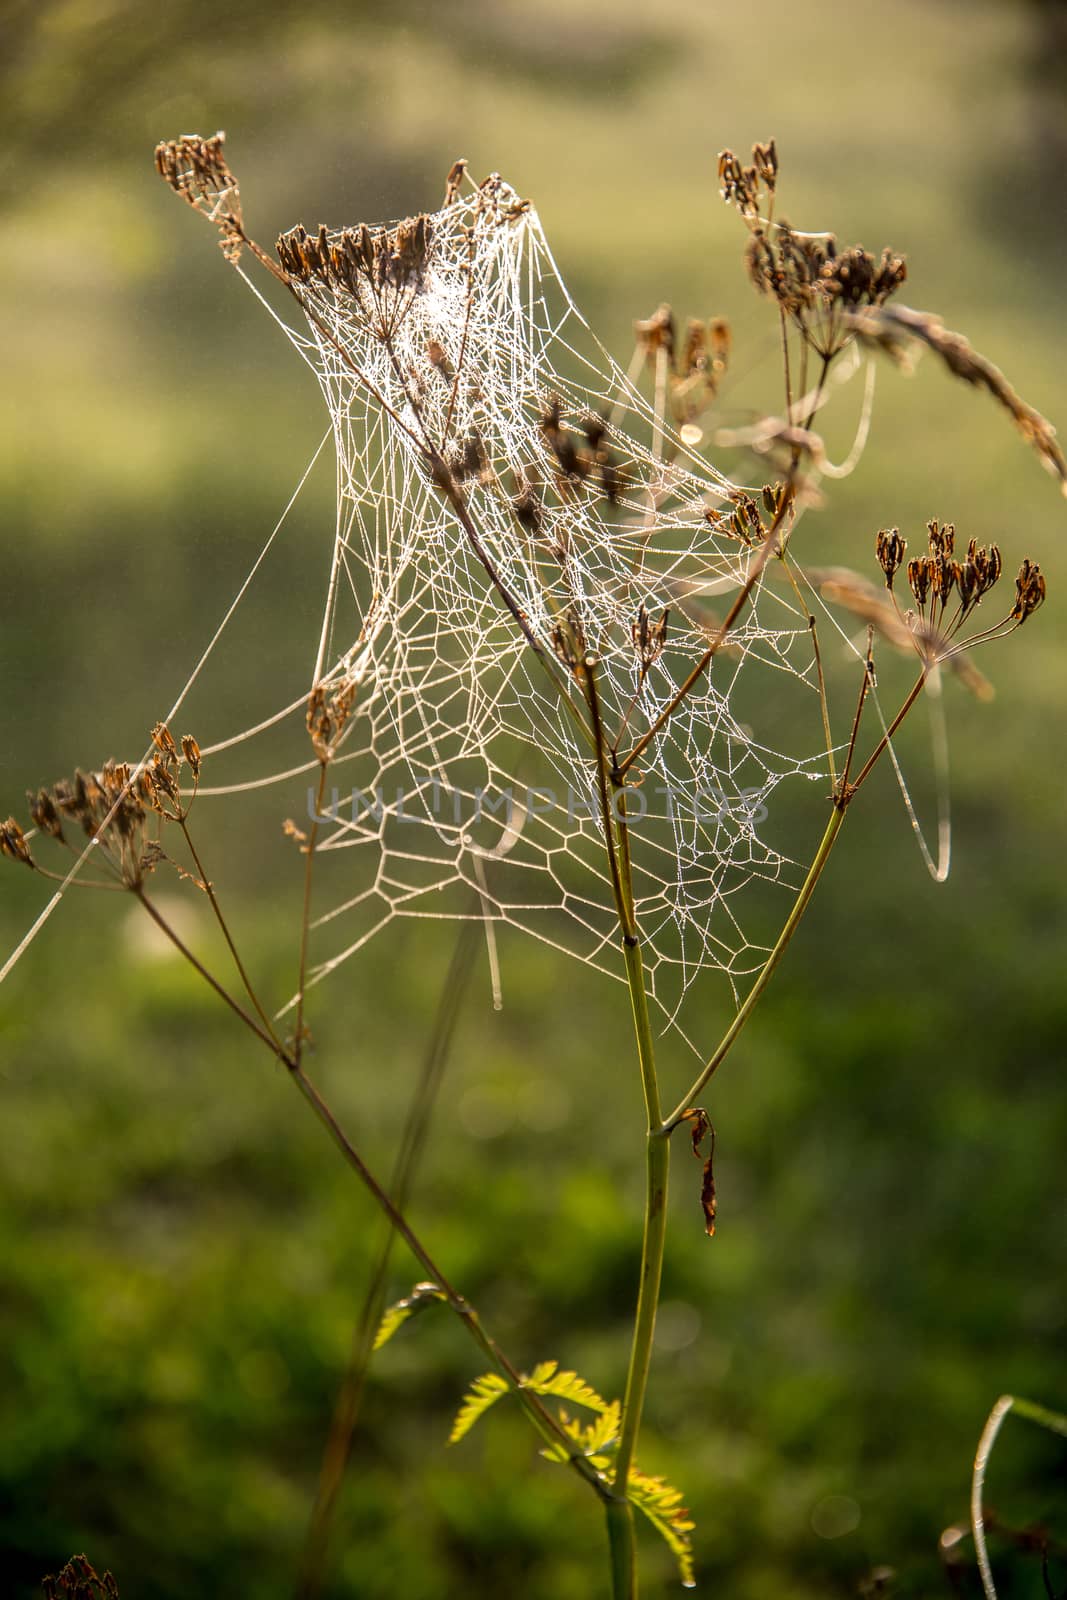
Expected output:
(474, 793)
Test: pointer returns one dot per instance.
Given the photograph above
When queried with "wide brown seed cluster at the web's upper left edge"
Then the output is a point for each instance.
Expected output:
(343, 262)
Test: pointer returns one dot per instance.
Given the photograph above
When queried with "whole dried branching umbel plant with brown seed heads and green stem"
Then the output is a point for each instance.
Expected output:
(828, 298)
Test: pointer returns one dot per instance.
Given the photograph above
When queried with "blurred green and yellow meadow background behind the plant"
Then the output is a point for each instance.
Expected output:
(182, 1252)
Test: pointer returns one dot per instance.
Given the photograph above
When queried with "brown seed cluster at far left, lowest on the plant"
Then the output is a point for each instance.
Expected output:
(118, 807)
